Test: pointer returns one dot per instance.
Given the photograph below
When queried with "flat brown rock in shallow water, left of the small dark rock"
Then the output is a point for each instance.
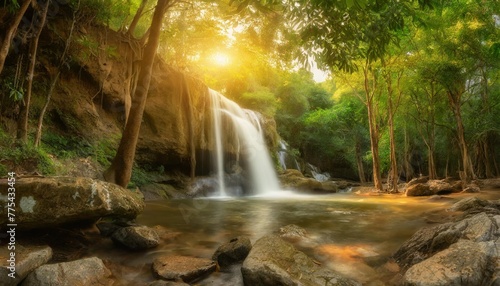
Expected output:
(182, 268)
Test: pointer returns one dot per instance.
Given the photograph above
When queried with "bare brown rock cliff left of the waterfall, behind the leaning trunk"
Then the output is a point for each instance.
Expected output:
(93, 97)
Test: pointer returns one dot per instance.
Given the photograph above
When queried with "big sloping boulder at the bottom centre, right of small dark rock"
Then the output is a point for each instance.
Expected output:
(272, 261)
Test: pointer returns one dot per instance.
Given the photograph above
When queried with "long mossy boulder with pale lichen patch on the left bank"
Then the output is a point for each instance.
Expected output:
(51, 201)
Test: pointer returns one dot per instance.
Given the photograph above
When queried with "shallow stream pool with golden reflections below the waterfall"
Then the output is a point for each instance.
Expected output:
(351, 234)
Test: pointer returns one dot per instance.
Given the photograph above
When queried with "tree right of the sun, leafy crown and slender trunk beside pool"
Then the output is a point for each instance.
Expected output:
(344, 34)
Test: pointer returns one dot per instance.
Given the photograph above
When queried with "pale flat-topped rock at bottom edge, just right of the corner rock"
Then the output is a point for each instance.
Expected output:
(88, 271)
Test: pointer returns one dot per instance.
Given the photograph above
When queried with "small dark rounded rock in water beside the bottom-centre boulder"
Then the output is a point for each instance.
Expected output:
(232, 252)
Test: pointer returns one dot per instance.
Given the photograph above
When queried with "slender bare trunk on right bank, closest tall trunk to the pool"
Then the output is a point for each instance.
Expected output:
(373, 126)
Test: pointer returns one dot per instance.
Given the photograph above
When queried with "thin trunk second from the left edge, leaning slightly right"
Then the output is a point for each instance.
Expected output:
(22, 123)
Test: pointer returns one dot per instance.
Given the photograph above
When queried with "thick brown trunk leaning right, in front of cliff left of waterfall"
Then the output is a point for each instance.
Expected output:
(120, 170)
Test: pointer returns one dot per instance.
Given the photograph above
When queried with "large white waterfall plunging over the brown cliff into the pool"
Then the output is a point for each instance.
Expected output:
(242, 129)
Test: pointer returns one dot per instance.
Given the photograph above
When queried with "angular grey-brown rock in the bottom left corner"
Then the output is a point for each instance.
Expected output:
(13, 269)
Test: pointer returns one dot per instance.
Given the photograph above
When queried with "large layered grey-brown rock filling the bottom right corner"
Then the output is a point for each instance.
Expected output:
(463, 252)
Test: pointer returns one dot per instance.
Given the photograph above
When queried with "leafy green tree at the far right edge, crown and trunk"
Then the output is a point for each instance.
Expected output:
(462, 41)
